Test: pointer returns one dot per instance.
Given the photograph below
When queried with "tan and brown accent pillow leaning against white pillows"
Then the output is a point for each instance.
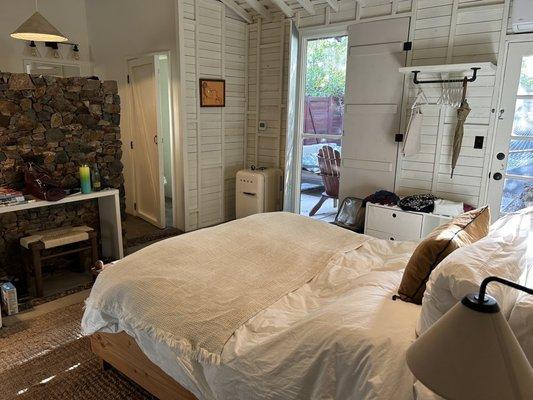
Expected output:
(461, 231)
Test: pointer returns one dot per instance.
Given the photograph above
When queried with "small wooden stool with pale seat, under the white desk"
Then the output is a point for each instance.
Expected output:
(54, 238)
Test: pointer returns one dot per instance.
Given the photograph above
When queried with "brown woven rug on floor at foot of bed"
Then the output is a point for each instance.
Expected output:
(47, 358)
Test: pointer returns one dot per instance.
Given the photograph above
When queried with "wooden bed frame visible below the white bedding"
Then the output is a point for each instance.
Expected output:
(120, 351)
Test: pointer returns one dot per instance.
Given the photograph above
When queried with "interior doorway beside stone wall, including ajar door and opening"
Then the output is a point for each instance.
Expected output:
(152, 139)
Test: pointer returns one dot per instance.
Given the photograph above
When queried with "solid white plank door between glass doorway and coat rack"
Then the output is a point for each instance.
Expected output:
(374, 89)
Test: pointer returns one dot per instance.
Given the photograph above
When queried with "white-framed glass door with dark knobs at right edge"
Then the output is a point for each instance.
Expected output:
(511, 185)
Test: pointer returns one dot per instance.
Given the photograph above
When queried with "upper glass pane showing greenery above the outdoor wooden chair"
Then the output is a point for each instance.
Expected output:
(324, 85)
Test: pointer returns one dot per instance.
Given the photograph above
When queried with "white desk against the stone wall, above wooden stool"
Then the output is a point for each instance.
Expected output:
(109, 210)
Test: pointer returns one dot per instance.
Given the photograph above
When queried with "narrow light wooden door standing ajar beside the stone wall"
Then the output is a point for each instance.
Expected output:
(147, 155)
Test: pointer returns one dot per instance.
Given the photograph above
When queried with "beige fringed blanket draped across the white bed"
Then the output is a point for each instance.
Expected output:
(194, 291)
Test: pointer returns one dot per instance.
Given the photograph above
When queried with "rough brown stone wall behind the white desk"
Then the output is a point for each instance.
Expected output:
(58, 123)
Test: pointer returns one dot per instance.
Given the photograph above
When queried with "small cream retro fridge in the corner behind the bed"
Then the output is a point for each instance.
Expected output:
(258, 191)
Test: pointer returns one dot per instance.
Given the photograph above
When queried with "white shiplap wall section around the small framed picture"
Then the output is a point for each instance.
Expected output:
(213, 46)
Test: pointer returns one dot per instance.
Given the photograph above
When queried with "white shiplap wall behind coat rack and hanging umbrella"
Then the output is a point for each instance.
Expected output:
(454, 31)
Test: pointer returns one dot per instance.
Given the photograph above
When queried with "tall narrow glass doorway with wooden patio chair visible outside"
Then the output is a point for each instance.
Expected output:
(320, 125)
